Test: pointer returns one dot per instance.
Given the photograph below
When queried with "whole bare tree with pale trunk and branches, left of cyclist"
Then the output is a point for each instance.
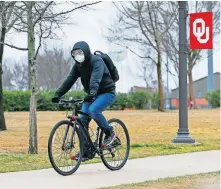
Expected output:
(40, 19)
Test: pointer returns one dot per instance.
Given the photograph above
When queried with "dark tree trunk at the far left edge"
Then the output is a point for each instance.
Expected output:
(3, 31)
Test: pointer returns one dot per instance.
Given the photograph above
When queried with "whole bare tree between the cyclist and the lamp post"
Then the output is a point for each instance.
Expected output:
(144, 24)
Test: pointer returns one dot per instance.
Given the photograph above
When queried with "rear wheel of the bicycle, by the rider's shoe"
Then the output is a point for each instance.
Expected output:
(115, 156)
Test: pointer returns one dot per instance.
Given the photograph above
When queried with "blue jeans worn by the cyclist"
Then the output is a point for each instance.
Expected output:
(95, 109)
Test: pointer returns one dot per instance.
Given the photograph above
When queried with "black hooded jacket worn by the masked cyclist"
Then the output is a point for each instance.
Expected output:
(94, 74)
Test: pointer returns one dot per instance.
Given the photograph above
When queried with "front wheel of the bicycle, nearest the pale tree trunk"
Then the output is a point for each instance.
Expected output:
(61, 153)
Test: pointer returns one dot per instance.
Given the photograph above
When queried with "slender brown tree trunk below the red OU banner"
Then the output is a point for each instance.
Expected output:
(190, 77)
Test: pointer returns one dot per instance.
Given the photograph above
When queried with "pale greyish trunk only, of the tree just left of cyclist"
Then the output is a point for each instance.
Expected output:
(33, 142)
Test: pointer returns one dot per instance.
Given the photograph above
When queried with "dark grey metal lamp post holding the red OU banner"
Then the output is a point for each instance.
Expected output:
(183, 131)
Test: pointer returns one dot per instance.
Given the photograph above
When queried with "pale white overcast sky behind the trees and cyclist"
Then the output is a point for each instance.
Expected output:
(90, 26)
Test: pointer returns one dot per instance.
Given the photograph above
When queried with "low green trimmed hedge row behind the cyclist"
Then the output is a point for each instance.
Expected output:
(19, 100)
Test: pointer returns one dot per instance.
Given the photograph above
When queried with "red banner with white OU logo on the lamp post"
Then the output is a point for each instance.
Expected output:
(201, 30)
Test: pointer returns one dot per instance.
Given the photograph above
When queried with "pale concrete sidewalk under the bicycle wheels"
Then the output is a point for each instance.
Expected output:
(96, 175)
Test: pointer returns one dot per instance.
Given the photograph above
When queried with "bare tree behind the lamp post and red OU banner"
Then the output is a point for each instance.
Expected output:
(171, 39)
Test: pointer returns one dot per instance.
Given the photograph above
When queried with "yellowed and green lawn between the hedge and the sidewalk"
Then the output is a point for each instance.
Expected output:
(151, 133)
